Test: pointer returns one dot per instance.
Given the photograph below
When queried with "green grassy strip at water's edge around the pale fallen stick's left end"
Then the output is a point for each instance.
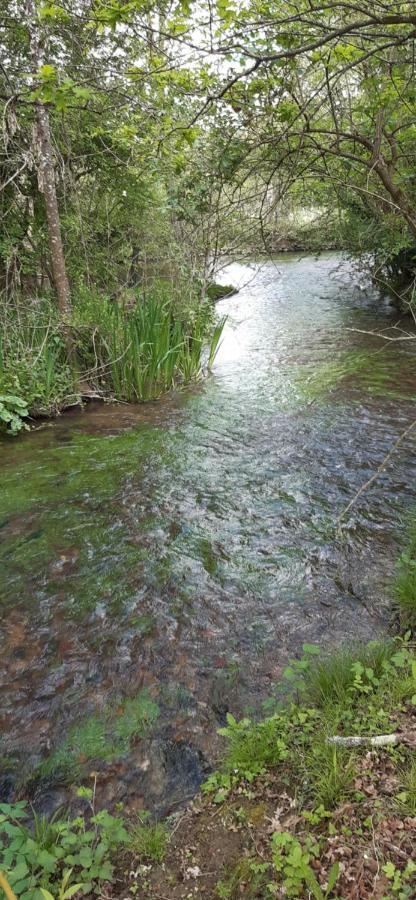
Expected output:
(350, 692)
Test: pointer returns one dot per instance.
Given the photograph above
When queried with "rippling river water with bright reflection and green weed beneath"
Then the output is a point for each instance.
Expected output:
(160, 563)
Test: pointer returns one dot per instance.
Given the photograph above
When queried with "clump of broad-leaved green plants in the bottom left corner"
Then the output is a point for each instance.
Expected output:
(59, 857)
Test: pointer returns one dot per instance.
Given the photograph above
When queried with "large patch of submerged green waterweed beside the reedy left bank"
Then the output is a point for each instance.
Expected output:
(63, 521)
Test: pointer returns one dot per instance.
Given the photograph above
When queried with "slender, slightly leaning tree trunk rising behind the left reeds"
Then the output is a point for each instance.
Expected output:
(47, 185)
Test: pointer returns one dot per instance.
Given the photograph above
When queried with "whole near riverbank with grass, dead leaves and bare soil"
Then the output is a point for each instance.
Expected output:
(290, 813)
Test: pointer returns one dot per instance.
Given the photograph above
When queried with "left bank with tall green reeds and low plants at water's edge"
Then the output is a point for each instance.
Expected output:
(132, 350)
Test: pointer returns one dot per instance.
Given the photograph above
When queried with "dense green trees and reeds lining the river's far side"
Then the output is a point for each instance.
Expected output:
(135, 160)
